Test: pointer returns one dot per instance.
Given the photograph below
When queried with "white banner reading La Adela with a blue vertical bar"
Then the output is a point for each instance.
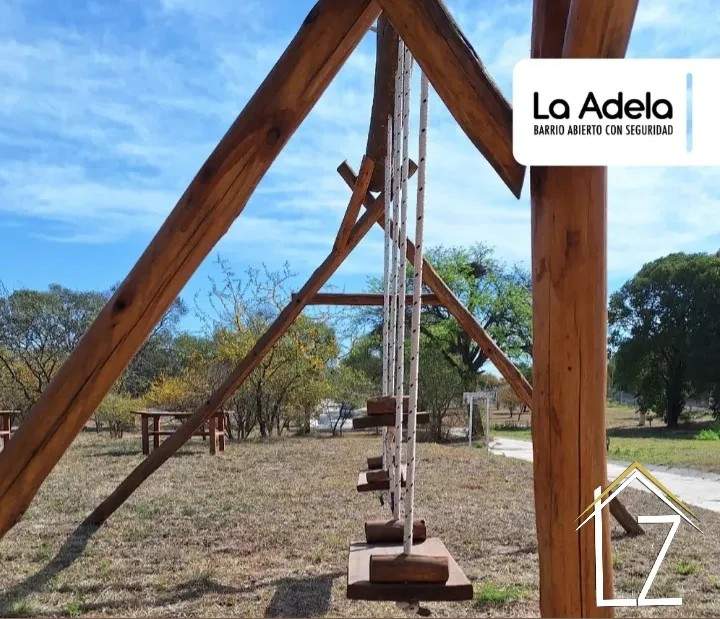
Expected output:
(617, 112)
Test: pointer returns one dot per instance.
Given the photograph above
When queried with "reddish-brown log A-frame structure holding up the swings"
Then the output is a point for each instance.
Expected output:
(568, 263)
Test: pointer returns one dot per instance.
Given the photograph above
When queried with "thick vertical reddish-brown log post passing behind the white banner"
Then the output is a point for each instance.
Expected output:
(569, 272)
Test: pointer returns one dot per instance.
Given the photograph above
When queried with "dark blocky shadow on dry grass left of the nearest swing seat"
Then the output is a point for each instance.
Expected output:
(302, 597)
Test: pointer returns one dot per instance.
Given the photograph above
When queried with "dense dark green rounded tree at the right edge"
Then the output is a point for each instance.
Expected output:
(664, 326)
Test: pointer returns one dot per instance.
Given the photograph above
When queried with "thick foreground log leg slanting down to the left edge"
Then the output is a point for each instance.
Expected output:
(211, 203)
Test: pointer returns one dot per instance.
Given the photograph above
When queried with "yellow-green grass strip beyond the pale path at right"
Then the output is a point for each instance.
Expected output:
(650, 444)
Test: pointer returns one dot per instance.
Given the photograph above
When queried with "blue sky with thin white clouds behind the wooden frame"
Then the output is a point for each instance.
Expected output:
(107, 110)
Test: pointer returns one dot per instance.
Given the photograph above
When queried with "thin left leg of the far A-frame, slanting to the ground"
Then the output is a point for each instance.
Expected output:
(236, 378)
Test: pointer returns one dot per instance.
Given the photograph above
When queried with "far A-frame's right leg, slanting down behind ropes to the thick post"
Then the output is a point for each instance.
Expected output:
(463, 316)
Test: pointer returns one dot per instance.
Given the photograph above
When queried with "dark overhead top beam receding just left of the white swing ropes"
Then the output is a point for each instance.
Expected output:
(383, 98)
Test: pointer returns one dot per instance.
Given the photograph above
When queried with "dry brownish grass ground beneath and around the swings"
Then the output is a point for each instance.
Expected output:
(264, 530)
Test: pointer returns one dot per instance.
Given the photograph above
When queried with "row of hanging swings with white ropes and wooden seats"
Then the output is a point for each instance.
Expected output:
(397, 561)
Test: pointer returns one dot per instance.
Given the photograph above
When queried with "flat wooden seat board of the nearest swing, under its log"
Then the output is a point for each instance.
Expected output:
(359, 587)
